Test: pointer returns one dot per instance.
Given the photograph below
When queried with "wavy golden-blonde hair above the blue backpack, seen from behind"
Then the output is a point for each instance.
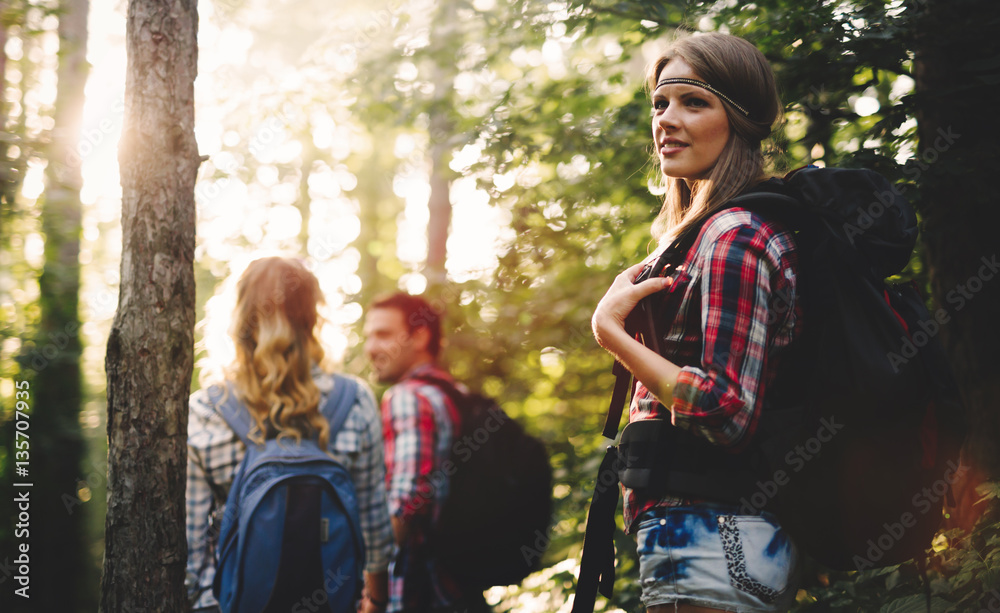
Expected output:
(274, 328)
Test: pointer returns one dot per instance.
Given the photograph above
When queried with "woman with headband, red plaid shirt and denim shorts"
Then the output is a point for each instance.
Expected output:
(722, 320)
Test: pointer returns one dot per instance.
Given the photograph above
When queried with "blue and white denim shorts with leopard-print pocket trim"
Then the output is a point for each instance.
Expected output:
(708, 555)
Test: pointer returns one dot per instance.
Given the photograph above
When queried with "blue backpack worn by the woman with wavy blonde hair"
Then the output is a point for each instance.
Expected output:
(290, 534)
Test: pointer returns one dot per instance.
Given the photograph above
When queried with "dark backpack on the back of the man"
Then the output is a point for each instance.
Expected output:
(493, 526)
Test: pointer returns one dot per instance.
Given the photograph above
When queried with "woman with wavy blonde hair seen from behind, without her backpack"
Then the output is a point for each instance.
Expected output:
(277, 378)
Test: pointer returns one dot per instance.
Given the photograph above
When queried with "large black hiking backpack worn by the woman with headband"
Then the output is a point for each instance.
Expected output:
(859, 435)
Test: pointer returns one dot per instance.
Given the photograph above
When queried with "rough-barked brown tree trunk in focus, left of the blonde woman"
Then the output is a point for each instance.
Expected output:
(150, 350)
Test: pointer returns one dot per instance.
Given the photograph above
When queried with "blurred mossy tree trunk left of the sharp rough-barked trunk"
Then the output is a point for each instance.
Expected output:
(56, 358)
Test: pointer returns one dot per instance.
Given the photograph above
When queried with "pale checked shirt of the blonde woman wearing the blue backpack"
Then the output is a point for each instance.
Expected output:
(214, 453)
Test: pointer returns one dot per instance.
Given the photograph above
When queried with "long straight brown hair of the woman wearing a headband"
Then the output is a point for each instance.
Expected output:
(739, 69)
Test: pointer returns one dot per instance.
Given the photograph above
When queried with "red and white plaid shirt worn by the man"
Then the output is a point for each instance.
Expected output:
(419, 423)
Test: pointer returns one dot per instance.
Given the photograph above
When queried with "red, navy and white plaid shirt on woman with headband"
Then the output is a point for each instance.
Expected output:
(732, 308)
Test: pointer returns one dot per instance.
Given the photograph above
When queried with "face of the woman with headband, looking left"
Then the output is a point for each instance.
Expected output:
(690, 125)
